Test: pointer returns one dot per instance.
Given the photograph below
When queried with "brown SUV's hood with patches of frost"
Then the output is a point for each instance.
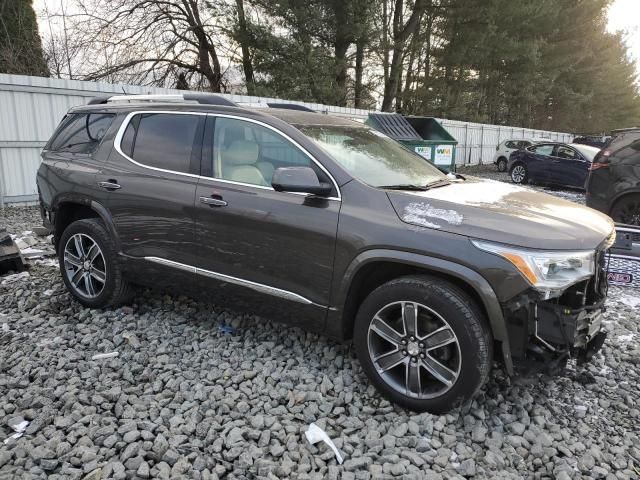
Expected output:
(504, 213)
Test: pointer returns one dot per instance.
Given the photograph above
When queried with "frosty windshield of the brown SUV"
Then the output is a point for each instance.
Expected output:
(371, 156)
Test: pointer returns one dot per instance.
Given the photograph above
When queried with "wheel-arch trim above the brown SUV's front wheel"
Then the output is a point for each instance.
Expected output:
(465, 274)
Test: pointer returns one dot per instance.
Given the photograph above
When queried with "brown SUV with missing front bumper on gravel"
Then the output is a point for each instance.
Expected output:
(329, 225)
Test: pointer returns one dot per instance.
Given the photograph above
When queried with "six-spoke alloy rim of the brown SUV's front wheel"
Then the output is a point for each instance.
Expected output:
(414, 350)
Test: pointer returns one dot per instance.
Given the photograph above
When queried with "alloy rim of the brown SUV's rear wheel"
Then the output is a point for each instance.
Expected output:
(84, 265)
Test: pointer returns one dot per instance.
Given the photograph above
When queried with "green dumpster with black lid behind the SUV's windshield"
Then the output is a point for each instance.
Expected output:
(424, 135)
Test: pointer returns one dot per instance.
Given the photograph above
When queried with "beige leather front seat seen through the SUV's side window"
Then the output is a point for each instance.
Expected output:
(239, 163)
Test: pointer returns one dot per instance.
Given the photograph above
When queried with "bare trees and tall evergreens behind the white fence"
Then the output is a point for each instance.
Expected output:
(547, 64)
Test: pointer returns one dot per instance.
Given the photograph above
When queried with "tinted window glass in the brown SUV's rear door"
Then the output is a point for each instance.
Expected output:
(163, 140)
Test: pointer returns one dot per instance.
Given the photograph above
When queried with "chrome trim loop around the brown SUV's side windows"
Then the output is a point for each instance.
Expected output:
(125, 123)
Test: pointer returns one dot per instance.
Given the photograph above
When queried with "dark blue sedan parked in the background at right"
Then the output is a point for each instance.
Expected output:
(552, 164)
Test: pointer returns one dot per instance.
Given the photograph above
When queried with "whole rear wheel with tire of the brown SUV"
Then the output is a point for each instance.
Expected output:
(82, 265)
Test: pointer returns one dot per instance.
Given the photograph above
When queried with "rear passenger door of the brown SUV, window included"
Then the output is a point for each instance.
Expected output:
(150, 181)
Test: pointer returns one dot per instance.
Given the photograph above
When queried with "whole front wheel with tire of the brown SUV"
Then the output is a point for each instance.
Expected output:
(390, 358)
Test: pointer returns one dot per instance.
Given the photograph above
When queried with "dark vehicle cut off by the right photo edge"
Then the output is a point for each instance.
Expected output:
(614, 180)
